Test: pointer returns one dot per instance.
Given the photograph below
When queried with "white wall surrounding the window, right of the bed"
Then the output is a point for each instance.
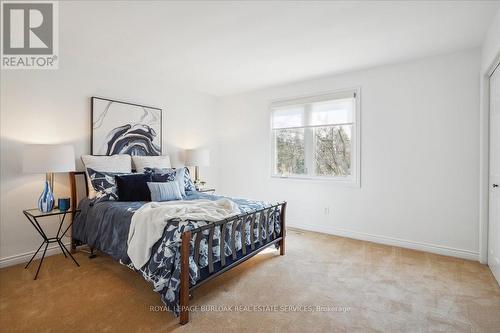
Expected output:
(419, 156)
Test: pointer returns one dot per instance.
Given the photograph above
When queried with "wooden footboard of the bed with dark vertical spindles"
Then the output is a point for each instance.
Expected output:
(261, 233)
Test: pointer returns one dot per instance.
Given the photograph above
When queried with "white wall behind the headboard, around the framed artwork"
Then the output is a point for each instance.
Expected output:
(53, 106)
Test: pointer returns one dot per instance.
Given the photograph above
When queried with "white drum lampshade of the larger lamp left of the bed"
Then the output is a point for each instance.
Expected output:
(48, 158)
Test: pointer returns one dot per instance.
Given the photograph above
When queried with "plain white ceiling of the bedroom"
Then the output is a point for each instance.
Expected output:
(225, 47)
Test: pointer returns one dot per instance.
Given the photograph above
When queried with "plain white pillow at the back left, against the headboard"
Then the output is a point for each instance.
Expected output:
(113, 163)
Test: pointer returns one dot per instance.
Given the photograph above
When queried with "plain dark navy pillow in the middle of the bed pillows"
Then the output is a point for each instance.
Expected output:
(133, 187)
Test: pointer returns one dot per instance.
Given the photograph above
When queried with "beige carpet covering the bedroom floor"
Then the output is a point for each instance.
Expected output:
(379, 288)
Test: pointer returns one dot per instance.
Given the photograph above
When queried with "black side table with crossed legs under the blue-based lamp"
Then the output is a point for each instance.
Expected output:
(32, 215)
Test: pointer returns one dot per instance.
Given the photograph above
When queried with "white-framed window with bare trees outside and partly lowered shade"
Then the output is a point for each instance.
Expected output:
(317, 137)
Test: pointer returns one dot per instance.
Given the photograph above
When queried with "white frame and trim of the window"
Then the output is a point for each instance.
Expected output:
(355, 178)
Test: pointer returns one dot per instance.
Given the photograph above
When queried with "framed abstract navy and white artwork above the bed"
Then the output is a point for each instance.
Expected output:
(124, 128)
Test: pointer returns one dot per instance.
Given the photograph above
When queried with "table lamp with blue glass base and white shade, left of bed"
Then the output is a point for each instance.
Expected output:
(48, 159)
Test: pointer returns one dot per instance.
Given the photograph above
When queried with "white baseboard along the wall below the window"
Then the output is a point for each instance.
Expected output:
(438, 249)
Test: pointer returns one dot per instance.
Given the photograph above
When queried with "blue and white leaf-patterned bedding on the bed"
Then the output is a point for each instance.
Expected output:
(105, 225)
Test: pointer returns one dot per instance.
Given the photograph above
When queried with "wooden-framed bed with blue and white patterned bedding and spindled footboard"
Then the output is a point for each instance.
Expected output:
(190, 252)
